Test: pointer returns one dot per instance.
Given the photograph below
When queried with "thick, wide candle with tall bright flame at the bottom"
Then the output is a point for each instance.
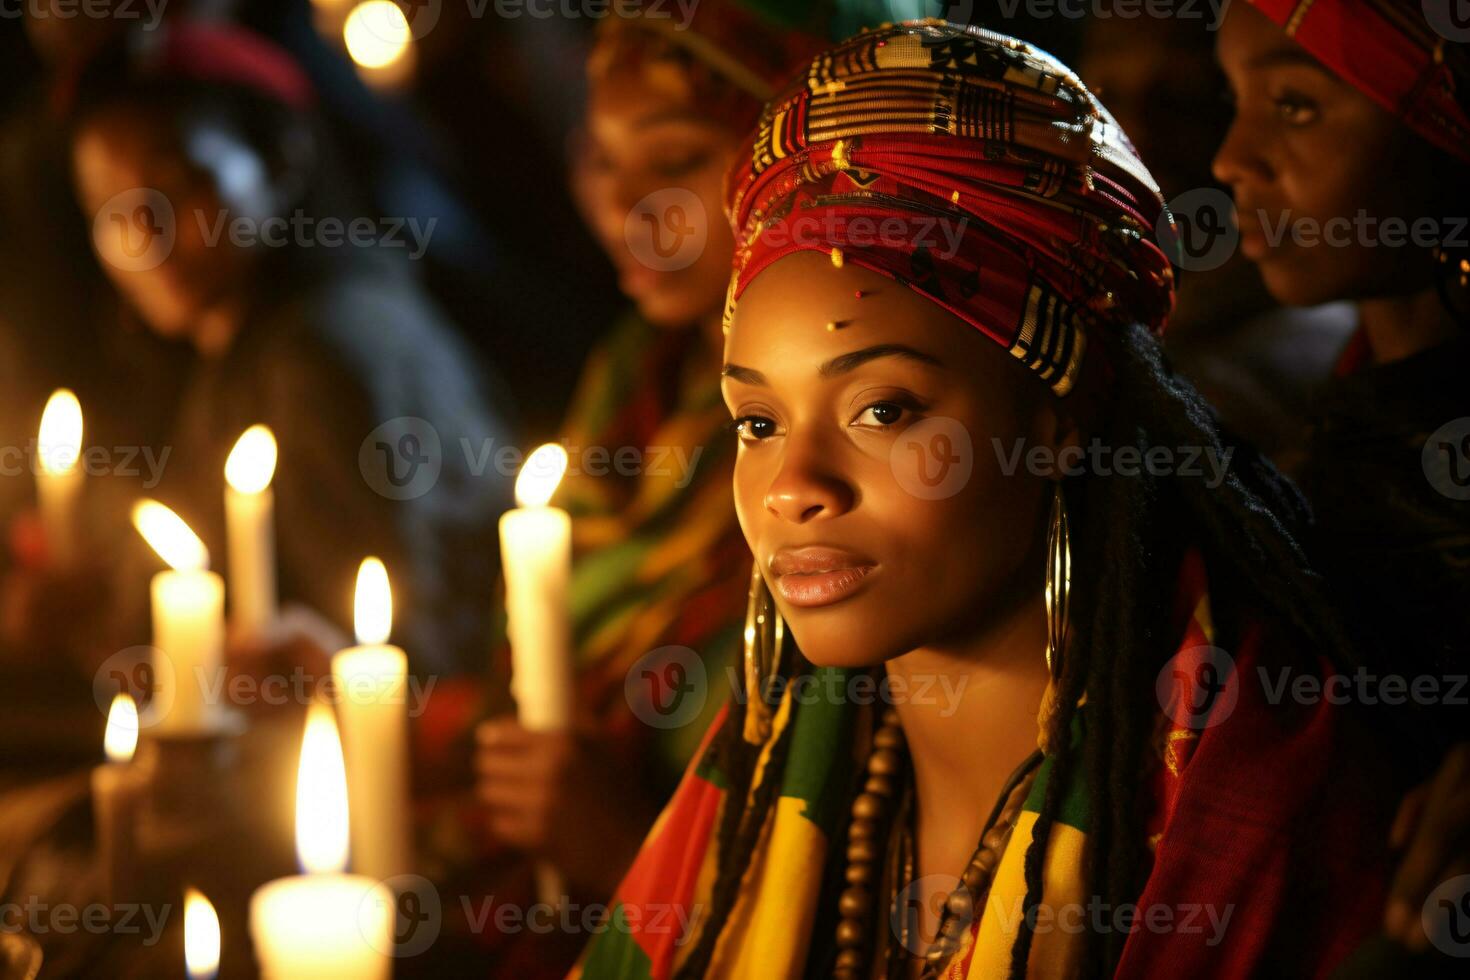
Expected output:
(324, 925)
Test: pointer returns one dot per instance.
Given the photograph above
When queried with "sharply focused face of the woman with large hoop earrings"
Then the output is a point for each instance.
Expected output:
(862, 566)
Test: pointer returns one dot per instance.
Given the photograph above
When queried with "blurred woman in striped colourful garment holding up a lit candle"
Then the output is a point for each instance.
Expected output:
(661, 569)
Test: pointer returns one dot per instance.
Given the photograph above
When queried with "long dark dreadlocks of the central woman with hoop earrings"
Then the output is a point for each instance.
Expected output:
(1139, 528)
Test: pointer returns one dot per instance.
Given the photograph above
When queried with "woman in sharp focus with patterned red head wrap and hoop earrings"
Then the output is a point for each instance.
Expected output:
(974, 536)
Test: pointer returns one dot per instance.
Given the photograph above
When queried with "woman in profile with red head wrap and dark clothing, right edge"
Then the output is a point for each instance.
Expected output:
(1353, 117)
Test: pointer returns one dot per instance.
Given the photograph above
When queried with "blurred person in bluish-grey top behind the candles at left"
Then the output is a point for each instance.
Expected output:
(327, 342)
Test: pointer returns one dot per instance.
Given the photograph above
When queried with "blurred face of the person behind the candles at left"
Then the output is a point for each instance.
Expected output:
(126, 154)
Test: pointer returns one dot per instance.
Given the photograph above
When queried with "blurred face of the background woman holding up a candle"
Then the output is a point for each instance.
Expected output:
(646, 136)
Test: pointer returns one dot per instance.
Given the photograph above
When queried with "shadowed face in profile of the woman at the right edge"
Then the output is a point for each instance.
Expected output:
(1311, 152)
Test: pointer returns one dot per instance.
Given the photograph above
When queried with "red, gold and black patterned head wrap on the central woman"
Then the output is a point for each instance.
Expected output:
(969, 167)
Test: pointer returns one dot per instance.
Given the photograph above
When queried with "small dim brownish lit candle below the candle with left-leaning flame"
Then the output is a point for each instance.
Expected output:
(117, 790)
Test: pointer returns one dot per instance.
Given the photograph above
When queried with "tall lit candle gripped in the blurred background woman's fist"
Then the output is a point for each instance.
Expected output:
(536, 552)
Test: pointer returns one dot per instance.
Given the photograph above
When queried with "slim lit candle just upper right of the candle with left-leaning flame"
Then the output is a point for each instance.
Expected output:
(249, 524)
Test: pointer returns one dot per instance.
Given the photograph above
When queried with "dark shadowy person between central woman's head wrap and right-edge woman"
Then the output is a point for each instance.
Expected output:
(1258, 364)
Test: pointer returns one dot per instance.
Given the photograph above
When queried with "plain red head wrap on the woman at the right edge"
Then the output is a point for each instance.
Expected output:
(1393, 54)
